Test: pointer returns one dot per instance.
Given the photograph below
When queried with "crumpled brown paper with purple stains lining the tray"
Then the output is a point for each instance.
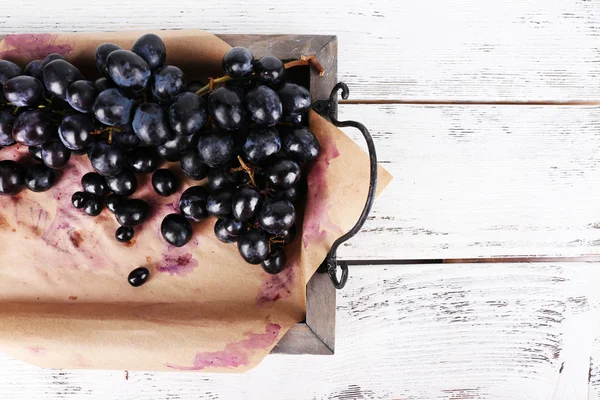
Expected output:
(64, 298)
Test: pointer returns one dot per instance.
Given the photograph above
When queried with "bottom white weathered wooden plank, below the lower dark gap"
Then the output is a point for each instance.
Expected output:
(485, 331)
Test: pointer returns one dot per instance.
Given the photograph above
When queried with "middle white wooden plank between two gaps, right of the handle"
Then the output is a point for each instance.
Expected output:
(482, 181)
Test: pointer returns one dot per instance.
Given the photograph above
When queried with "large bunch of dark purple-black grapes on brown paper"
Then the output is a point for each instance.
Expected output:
(243, 132)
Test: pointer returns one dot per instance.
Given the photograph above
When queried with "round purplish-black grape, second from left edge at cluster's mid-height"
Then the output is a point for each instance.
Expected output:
(33, 128)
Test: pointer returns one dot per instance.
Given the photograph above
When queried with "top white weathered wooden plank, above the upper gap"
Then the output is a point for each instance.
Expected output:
(452, 50)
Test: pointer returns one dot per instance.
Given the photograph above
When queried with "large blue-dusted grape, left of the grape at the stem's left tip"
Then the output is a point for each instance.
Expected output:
(151, 125)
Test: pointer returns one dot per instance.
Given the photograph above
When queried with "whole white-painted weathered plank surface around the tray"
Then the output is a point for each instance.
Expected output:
(488, 114)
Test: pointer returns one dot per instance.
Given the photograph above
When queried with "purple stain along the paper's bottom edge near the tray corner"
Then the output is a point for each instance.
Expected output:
(235, 354)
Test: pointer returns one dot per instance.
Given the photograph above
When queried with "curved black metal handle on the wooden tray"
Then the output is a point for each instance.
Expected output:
(331, 262)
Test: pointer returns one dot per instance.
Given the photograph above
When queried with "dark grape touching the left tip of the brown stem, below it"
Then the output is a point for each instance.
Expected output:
(188, 114)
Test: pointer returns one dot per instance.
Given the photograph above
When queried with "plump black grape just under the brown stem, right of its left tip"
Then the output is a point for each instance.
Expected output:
(226, 108)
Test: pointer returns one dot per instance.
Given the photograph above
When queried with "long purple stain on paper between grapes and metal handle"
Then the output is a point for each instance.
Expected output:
(316, 220)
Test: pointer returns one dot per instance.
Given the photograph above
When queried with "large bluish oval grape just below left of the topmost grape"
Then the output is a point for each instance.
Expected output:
(128, 70)
